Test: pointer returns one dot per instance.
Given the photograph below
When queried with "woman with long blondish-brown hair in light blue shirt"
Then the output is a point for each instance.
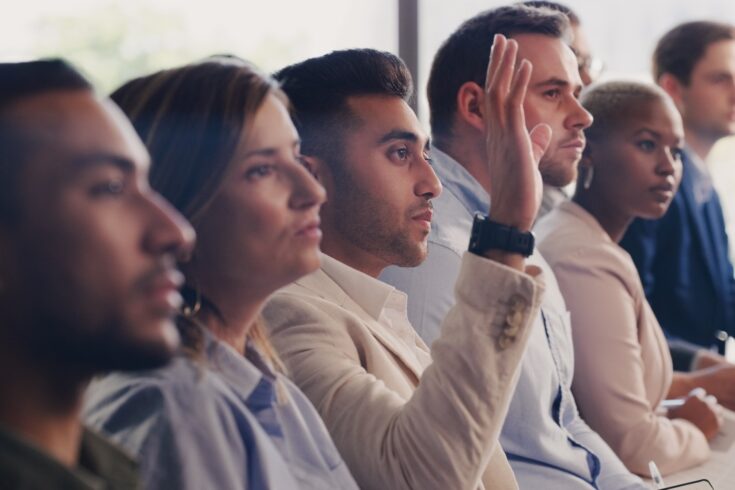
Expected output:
(226, 154)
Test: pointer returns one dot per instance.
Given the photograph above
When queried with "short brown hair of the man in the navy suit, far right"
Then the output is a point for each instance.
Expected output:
(683, 46)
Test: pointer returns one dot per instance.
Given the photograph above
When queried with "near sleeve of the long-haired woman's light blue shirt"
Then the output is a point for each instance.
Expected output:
(184, 436)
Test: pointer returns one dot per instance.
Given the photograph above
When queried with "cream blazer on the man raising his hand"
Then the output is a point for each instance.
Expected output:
(399, 420)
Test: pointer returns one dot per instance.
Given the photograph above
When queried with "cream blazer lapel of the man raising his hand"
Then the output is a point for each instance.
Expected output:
(320, 284)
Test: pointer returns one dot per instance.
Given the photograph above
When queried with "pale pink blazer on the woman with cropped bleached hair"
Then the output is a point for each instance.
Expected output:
(623, 367)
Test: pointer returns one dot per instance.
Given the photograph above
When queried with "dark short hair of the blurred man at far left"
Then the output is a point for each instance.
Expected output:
(19, 81)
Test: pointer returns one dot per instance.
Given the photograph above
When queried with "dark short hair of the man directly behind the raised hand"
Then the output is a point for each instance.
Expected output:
(463, 57)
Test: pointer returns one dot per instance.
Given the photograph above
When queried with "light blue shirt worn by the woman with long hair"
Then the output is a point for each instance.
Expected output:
(222, 422)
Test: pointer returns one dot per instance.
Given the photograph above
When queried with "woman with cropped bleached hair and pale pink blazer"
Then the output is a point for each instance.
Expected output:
(631, 168)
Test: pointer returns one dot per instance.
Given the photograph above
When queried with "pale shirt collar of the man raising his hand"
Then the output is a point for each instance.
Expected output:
(369, 293)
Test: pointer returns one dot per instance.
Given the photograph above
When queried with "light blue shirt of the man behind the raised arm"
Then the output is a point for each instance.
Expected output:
(547, 443)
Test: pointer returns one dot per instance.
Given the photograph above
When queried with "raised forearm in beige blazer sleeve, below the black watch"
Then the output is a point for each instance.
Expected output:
(463, 396)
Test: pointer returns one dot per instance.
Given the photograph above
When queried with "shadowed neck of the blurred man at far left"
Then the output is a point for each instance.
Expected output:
(42, 404)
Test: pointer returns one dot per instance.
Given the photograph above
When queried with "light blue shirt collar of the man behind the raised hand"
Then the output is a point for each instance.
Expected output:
(459, 182)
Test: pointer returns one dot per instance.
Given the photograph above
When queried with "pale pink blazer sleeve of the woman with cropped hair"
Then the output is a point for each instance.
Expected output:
(610, 372)
